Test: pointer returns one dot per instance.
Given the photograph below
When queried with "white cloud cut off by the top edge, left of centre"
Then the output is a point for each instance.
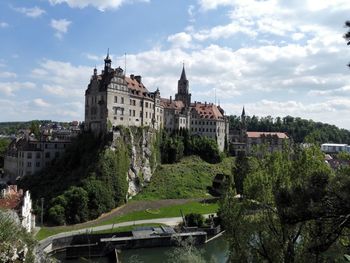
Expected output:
(102, 5)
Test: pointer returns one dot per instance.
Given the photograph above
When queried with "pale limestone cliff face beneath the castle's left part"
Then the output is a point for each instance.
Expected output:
(141, 142)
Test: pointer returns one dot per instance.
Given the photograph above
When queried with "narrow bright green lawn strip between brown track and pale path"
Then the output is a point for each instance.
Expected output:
(169, 211)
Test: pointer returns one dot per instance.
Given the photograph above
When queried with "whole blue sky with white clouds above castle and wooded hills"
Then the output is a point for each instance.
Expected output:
(274, 57)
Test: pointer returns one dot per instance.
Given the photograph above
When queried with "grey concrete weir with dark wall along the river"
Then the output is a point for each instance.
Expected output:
(101, 245)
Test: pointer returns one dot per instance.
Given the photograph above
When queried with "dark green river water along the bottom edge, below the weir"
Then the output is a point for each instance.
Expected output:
(215, 250)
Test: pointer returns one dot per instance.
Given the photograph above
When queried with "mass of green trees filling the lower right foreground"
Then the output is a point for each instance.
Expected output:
(293, 207)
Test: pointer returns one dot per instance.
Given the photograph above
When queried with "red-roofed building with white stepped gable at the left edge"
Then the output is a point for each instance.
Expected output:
(14, 200)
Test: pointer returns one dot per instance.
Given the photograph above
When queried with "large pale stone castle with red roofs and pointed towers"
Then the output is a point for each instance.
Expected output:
(113, 99)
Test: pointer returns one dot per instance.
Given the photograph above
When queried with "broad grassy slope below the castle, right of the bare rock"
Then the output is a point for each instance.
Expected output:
(186, 179)
